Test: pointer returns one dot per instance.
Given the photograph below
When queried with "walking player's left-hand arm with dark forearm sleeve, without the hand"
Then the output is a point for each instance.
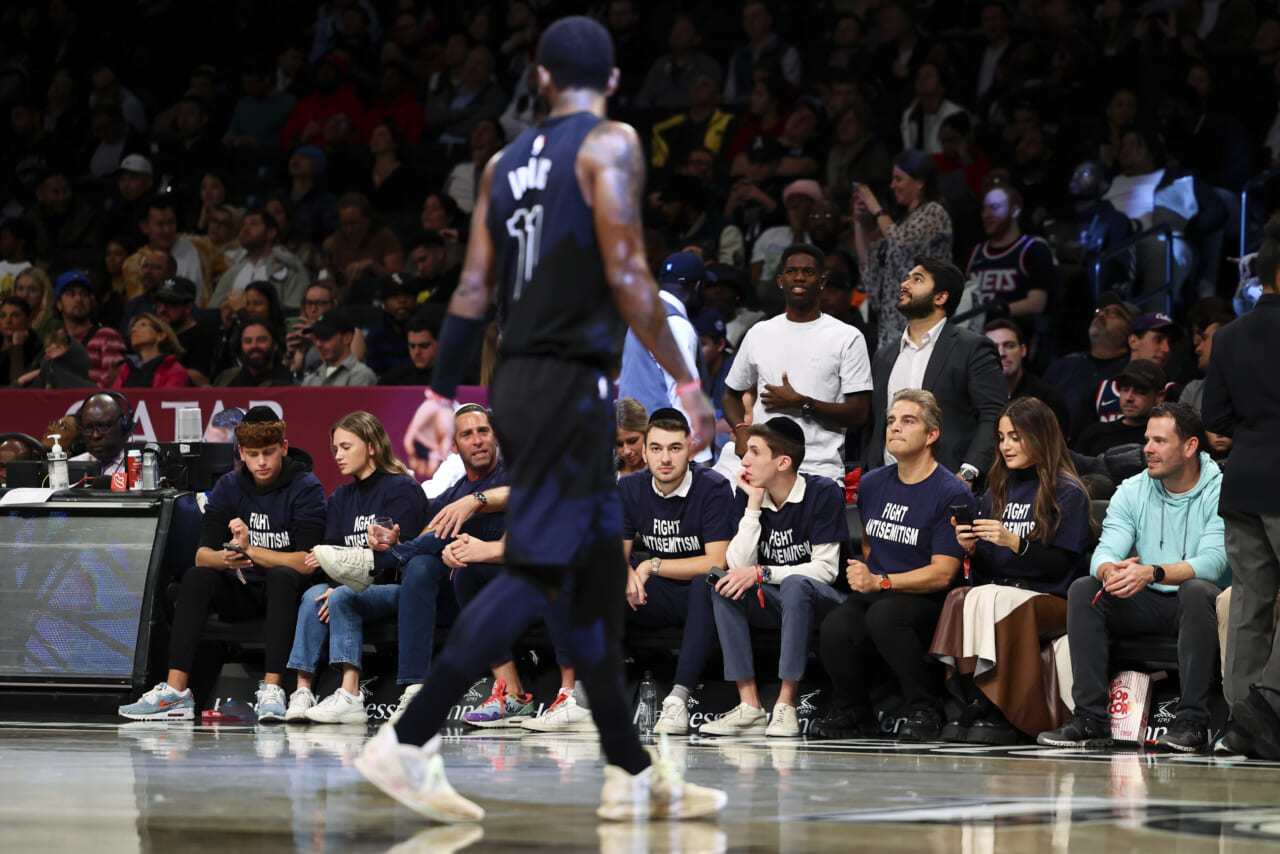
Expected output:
(465, 321)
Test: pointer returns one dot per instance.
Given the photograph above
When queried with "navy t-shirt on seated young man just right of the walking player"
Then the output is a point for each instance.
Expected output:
(675, 528)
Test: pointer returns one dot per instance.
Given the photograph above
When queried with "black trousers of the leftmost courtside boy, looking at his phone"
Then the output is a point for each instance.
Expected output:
(207, 591)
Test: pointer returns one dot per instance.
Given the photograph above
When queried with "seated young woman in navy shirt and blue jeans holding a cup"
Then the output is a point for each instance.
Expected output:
(382, 490)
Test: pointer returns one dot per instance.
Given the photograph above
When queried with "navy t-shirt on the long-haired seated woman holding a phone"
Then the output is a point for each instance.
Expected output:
(999, 564)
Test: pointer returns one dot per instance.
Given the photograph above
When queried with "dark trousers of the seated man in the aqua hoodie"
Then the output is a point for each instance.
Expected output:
(1190, 615)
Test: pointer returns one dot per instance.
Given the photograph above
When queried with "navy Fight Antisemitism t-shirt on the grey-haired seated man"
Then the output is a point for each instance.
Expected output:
(908, 524)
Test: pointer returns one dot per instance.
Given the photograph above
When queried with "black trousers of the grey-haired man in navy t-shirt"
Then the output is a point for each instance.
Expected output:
(875, 631)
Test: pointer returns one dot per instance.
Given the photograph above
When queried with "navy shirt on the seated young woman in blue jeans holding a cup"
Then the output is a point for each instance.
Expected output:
(355, 506)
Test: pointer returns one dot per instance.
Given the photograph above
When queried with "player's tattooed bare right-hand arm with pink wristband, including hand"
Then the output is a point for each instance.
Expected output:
(612, 168)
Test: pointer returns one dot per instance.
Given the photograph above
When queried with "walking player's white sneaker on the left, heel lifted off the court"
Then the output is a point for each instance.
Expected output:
(415, 778)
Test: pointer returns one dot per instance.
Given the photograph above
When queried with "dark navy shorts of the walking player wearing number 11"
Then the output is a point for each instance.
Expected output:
(556, 427)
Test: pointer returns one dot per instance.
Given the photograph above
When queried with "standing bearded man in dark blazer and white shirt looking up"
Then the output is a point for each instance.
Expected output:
(961, 368)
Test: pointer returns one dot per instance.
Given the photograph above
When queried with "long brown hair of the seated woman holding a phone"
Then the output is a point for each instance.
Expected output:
(1043, 440)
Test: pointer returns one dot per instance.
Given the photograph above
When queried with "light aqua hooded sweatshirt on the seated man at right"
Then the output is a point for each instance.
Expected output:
(1146, 520)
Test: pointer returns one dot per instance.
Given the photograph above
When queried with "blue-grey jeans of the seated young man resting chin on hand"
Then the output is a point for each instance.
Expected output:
(793, 606)
